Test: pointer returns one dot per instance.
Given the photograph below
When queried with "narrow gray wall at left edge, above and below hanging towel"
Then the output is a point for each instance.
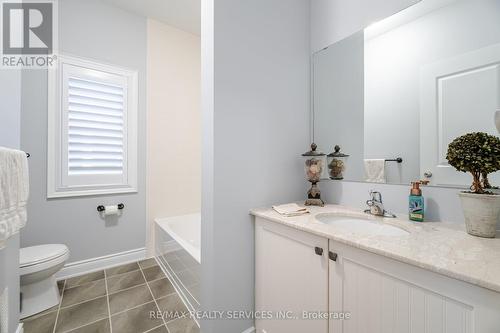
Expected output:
(10, 107)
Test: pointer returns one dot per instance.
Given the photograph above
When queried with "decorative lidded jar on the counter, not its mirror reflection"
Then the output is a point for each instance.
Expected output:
(313, 169)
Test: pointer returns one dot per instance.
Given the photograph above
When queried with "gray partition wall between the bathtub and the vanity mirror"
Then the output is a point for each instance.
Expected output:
(255, 104)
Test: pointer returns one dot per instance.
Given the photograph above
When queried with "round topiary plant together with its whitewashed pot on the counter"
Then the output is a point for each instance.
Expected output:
(479, 155)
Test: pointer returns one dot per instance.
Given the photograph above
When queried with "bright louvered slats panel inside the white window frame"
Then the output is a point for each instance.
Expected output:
(95, 134)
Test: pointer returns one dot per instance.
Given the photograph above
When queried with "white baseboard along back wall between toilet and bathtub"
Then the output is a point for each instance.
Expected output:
(94, 264)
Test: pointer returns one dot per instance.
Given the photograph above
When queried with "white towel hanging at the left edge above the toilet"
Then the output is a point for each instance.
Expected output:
(14, 192)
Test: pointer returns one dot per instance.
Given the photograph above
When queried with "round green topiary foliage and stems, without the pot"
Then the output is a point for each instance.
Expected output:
(477, 153)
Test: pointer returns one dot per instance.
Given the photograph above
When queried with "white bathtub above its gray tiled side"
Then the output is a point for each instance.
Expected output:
(186, 231)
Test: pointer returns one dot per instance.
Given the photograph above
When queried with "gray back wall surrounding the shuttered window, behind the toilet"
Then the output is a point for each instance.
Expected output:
(93, 30)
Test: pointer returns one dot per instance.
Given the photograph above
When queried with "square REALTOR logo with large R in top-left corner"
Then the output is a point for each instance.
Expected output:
(28, 33)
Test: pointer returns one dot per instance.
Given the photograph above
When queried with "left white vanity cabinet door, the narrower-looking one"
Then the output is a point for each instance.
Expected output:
(291, 276)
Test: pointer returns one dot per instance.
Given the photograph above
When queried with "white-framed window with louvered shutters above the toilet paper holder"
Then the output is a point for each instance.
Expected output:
(92, 129)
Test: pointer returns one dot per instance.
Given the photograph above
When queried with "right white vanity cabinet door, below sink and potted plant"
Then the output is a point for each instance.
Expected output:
(386, 296)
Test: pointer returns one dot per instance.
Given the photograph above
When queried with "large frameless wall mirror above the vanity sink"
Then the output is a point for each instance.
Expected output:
(403, 88)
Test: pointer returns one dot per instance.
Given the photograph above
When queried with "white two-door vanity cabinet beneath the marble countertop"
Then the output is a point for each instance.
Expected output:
(381, 295)
